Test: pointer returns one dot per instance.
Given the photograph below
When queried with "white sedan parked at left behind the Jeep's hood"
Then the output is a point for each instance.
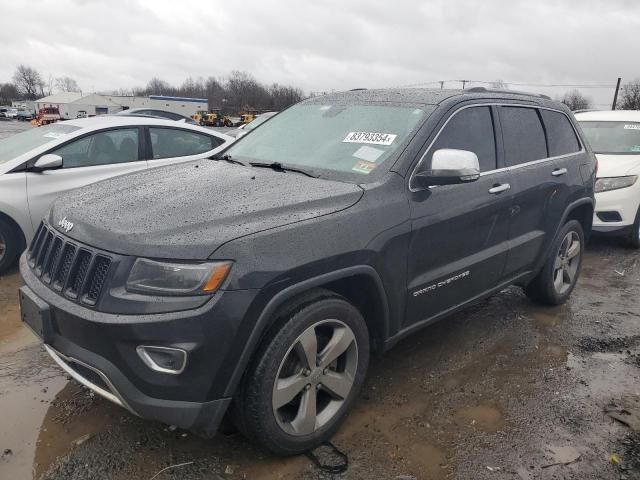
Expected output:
(38, 165)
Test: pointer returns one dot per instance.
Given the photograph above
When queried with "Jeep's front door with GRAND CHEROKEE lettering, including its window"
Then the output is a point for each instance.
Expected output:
(459, 244)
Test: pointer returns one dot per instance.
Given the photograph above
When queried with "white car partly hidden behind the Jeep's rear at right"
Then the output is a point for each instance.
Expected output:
(615, 138)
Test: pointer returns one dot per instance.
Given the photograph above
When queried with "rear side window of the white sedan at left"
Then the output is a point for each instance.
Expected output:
(172, 142)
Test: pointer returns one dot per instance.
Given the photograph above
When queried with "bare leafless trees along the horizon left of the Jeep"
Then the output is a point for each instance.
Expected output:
(236, 92)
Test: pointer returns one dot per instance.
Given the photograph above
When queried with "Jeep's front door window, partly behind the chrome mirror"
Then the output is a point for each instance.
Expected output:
(471, 129)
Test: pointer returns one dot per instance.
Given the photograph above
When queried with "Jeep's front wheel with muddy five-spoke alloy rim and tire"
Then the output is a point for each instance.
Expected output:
(306, 376)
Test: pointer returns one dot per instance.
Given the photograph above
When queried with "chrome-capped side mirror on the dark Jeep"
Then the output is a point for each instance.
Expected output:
(449, 167)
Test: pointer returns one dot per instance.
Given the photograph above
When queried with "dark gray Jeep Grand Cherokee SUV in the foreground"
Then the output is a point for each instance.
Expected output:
(257, 283)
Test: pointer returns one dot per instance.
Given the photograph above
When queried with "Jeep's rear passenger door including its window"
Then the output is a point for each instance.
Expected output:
(535, 187)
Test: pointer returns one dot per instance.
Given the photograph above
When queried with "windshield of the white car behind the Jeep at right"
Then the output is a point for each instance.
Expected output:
(613, 137)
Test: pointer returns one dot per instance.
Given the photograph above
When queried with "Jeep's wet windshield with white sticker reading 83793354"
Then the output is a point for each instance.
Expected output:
(351, 139)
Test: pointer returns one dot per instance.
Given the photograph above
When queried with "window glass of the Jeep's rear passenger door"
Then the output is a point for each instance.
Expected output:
(523, 135)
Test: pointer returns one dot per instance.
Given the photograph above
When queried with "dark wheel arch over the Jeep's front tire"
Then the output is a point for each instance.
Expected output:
(361, 285)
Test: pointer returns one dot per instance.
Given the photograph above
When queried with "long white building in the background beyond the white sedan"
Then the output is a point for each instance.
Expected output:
(75, 104)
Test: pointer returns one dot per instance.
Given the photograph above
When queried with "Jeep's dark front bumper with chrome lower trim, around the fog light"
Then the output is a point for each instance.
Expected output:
(99, 350)
